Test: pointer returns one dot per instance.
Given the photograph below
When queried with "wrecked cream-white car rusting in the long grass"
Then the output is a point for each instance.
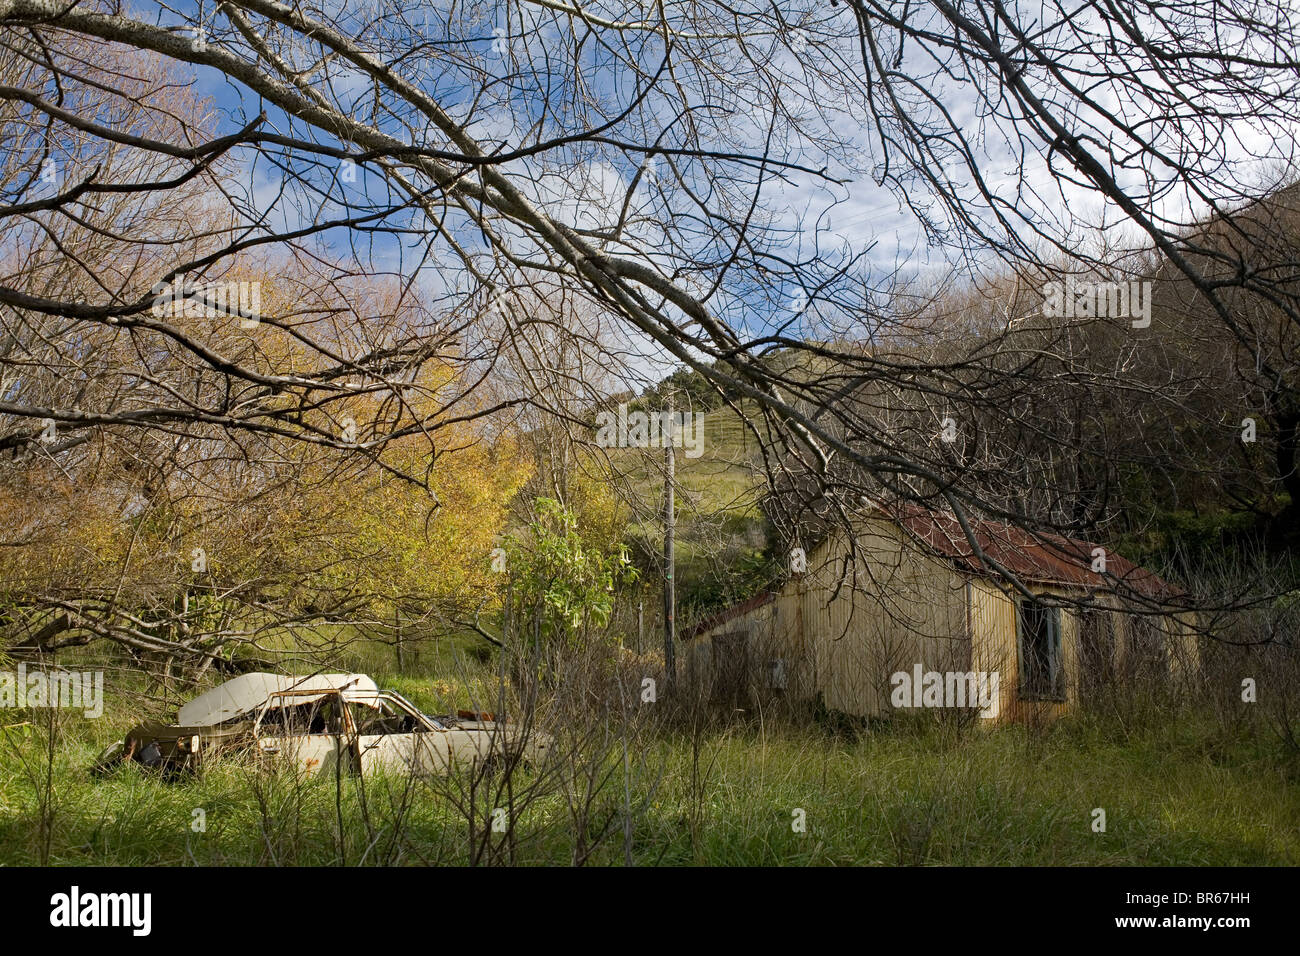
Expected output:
(323, 724)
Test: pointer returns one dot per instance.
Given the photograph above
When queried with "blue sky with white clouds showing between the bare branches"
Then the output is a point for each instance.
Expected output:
(852, 218)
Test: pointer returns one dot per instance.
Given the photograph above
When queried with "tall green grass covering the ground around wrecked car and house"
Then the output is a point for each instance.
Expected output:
(1206, 780)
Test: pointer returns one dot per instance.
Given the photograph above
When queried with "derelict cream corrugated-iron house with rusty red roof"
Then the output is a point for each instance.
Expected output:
(921, 618)
